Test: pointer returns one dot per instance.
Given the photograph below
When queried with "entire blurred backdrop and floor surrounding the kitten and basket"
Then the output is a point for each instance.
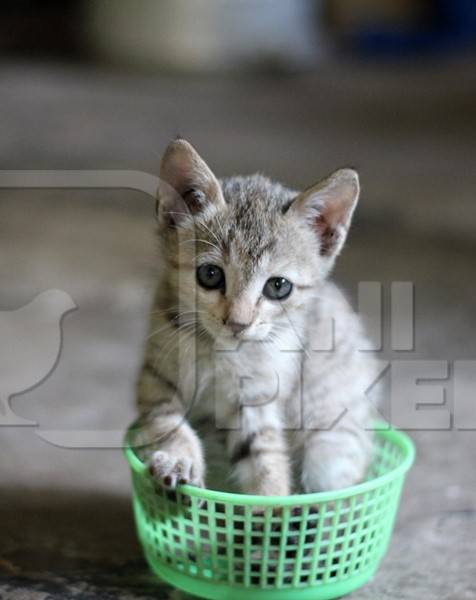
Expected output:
(291, 88)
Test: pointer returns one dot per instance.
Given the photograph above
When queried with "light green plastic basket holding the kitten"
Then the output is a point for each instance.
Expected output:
(221, 545)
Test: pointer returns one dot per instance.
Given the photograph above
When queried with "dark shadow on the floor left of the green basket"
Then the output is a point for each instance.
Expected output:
(58, 544)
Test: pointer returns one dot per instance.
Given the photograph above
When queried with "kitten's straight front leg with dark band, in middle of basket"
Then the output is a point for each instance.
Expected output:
(259, 454)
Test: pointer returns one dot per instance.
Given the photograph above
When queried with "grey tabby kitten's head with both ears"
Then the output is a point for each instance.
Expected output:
(246, 256)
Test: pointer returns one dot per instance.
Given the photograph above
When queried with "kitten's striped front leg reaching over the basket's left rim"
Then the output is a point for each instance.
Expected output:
(175, 451)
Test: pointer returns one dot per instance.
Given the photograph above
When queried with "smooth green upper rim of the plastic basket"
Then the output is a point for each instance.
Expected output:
(382, 429)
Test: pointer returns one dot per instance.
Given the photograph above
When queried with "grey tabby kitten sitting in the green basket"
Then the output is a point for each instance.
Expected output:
(240, 331)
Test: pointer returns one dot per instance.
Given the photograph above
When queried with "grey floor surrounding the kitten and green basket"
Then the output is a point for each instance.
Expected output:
(66, 523)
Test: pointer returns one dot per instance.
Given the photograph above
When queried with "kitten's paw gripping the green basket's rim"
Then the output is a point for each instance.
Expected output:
(170, 470)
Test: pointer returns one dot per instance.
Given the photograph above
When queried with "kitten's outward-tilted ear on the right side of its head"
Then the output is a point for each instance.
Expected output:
(328, 207)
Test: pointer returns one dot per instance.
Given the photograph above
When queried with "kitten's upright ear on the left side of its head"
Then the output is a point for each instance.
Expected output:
(187, 185)
